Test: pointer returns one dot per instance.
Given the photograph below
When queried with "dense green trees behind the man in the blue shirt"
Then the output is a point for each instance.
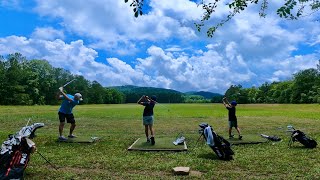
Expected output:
(29, 82)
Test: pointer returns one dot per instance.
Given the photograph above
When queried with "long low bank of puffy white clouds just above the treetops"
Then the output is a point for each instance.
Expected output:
(212, 71)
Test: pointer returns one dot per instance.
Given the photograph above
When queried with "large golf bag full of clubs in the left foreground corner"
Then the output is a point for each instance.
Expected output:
(15, 152)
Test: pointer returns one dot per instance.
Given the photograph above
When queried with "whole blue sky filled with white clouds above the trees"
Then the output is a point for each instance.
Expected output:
(102, 41)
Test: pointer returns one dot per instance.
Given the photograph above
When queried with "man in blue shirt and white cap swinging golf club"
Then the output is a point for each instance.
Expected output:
(65, 112)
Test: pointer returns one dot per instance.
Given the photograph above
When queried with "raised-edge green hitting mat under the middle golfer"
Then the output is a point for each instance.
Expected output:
(162, 144)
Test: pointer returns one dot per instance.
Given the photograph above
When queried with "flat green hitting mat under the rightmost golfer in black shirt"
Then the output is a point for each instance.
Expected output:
(247, 139)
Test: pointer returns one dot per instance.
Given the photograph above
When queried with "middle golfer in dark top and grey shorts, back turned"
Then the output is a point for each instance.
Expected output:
(148, 119)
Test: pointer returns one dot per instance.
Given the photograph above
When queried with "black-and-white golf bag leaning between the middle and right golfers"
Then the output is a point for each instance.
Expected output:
(217, 143)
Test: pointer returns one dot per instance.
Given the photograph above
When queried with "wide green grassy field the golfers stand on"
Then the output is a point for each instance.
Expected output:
(120, 125)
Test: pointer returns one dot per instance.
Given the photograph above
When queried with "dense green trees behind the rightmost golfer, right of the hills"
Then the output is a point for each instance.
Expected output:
(303, 88)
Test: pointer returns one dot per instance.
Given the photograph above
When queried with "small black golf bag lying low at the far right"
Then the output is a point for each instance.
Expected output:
(299, 136)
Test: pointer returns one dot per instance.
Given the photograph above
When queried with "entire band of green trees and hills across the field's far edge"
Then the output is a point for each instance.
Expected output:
(31, 82)
